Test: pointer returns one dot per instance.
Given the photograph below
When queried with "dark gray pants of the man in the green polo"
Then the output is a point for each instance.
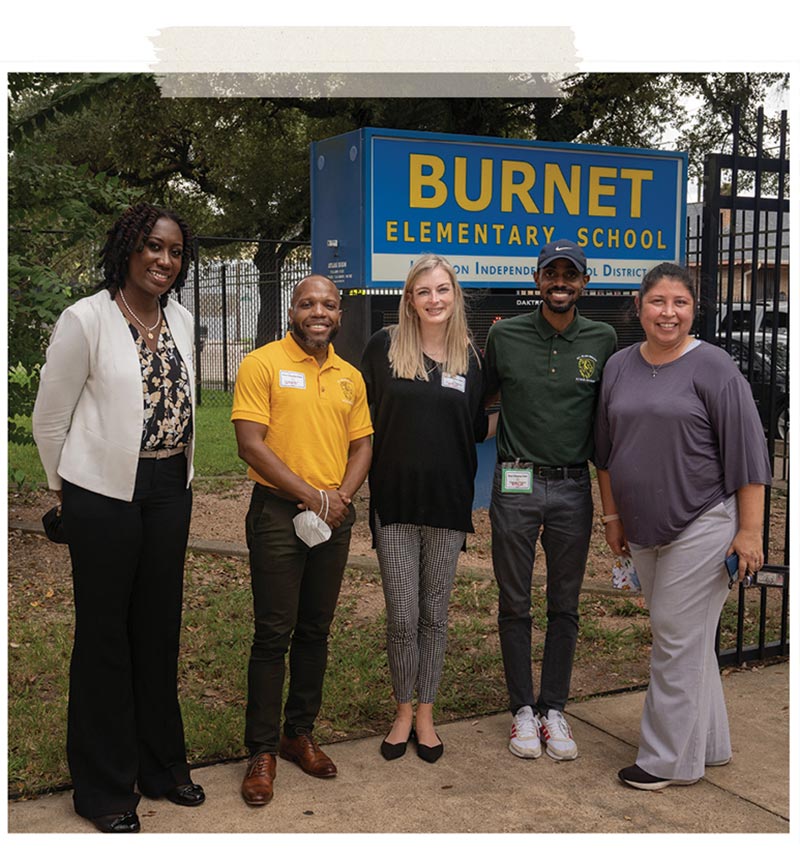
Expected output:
(562, 510)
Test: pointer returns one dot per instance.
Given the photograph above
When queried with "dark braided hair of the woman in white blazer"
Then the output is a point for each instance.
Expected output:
(128, 235)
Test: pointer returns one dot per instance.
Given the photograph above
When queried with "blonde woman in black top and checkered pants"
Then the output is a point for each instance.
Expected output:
(424, 382)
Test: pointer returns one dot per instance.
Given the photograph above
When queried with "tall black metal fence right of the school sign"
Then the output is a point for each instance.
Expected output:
(742, 235)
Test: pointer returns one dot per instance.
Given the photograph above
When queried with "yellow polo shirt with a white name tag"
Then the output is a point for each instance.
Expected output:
(313, 412)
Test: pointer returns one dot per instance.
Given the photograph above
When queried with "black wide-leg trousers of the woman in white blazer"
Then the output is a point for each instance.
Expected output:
(124, 721)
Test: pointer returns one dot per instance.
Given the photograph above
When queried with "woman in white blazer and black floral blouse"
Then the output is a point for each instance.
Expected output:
(114, 426)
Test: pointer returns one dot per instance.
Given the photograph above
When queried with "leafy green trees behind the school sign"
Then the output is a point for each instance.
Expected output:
(83, 146)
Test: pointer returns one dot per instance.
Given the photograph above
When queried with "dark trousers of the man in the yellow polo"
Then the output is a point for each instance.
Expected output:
(295, 590)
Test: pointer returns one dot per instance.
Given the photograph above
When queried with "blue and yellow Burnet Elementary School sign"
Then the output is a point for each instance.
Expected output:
(381, 197)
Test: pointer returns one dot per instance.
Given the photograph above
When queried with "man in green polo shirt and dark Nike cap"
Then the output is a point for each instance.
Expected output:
(546, 367)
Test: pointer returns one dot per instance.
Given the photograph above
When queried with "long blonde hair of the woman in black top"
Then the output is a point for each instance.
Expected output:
(405, 349)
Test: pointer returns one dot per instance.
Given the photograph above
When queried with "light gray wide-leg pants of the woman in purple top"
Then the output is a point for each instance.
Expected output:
(685, 723)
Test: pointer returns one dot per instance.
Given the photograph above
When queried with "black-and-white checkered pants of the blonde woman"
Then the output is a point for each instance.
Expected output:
(418, 565)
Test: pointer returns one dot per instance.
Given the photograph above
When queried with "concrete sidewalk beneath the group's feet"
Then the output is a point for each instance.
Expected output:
(478, 786)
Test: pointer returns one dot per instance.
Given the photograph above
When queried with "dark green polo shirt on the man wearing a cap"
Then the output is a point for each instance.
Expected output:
(548, 382)
